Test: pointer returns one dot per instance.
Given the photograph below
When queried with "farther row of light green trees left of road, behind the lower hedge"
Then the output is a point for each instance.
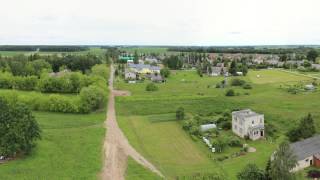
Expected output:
(68, 82)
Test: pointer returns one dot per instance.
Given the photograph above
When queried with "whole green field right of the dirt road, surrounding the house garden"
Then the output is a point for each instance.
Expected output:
(174, 152)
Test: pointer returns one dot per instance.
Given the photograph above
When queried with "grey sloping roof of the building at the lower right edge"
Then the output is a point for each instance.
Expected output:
(306, 148)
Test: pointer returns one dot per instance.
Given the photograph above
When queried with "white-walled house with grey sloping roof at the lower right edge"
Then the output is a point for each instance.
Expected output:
(307, 152)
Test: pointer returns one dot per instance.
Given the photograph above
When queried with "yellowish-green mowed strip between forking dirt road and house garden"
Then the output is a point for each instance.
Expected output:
(166, 145)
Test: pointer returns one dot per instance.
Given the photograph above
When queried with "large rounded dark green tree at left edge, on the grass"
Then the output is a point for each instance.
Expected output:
(18, 129)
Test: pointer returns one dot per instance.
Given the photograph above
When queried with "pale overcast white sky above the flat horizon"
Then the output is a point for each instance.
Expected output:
(160, 22)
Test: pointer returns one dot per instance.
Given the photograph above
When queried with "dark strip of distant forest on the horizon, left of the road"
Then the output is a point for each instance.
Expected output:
(45, 48)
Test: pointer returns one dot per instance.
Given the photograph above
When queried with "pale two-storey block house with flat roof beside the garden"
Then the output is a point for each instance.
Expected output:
(246, 123)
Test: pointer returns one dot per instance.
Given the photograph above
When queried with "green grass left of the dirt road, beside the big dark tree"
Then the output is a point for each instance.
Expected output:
(70, 148)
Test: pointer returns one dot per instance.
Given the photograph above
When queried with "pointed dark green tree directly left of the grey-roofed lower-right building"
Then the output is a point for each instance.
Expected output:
(283, 161)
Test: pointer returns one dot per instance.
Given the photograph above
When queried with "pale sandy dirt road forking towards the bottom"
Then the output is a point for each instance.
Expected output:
(116, 146)
